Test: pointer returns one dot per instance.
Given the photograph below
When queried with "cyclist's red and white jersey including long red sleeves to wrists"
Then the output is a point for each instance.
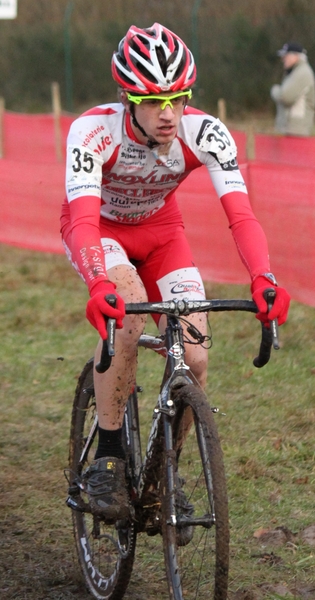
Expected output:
(112, 179)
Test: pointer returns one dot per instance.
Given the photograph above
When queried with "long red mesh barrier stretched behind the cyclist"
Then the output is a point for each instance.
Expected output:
(281, 190)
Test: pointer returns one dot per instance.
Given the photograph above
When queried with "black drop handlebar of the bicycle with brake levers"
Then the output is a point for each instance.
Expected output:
(178, 308)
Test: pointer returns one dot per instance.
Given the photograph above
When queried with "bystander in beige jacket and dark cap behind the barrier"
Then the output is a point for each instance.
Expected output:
(295, 96)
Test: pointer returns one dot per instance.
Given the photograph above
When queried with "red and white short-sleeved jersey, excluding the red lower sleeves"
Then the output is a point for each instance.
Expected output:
(105, 160)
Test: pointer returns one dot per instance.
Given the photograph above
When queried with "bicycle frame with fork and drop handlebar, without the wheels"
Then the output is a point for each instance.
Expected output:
(176, 374)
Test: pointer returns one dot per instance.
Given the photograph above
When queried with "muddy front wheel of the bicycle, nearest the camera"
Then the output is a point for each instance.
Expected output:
(199, 569)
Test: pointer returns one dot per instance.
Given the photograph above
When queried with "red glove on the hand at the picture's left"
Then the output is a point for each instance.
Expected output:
(97, 308)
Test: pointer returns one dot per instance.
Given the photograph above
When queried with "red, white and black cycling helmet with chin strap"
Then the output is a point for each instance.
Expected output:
(152, 61)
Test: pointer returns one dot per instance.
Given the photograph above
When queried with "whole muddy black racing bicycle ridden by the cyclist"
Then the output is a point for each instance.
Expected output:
(178, 488)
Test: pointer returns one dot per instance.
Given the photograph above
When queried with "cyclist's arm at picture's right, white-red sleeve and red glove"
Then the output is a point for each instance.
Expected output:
(216, 149)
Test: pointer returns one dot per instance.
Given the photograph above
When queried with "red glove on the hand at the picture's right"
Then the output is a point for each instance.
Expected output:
(280, 306)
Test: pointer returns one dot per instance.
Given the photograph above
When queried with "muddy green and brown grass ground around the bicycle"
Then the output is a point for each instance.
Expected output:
(267, 434)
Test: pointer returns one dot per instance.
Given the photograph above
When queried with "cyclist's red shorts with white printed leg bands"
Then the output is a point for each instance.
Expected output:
(157, 248)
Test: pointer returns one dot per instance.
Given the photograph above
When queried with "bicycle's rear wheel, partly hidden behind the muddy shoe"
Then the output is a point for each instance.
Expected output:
(105, 552)
